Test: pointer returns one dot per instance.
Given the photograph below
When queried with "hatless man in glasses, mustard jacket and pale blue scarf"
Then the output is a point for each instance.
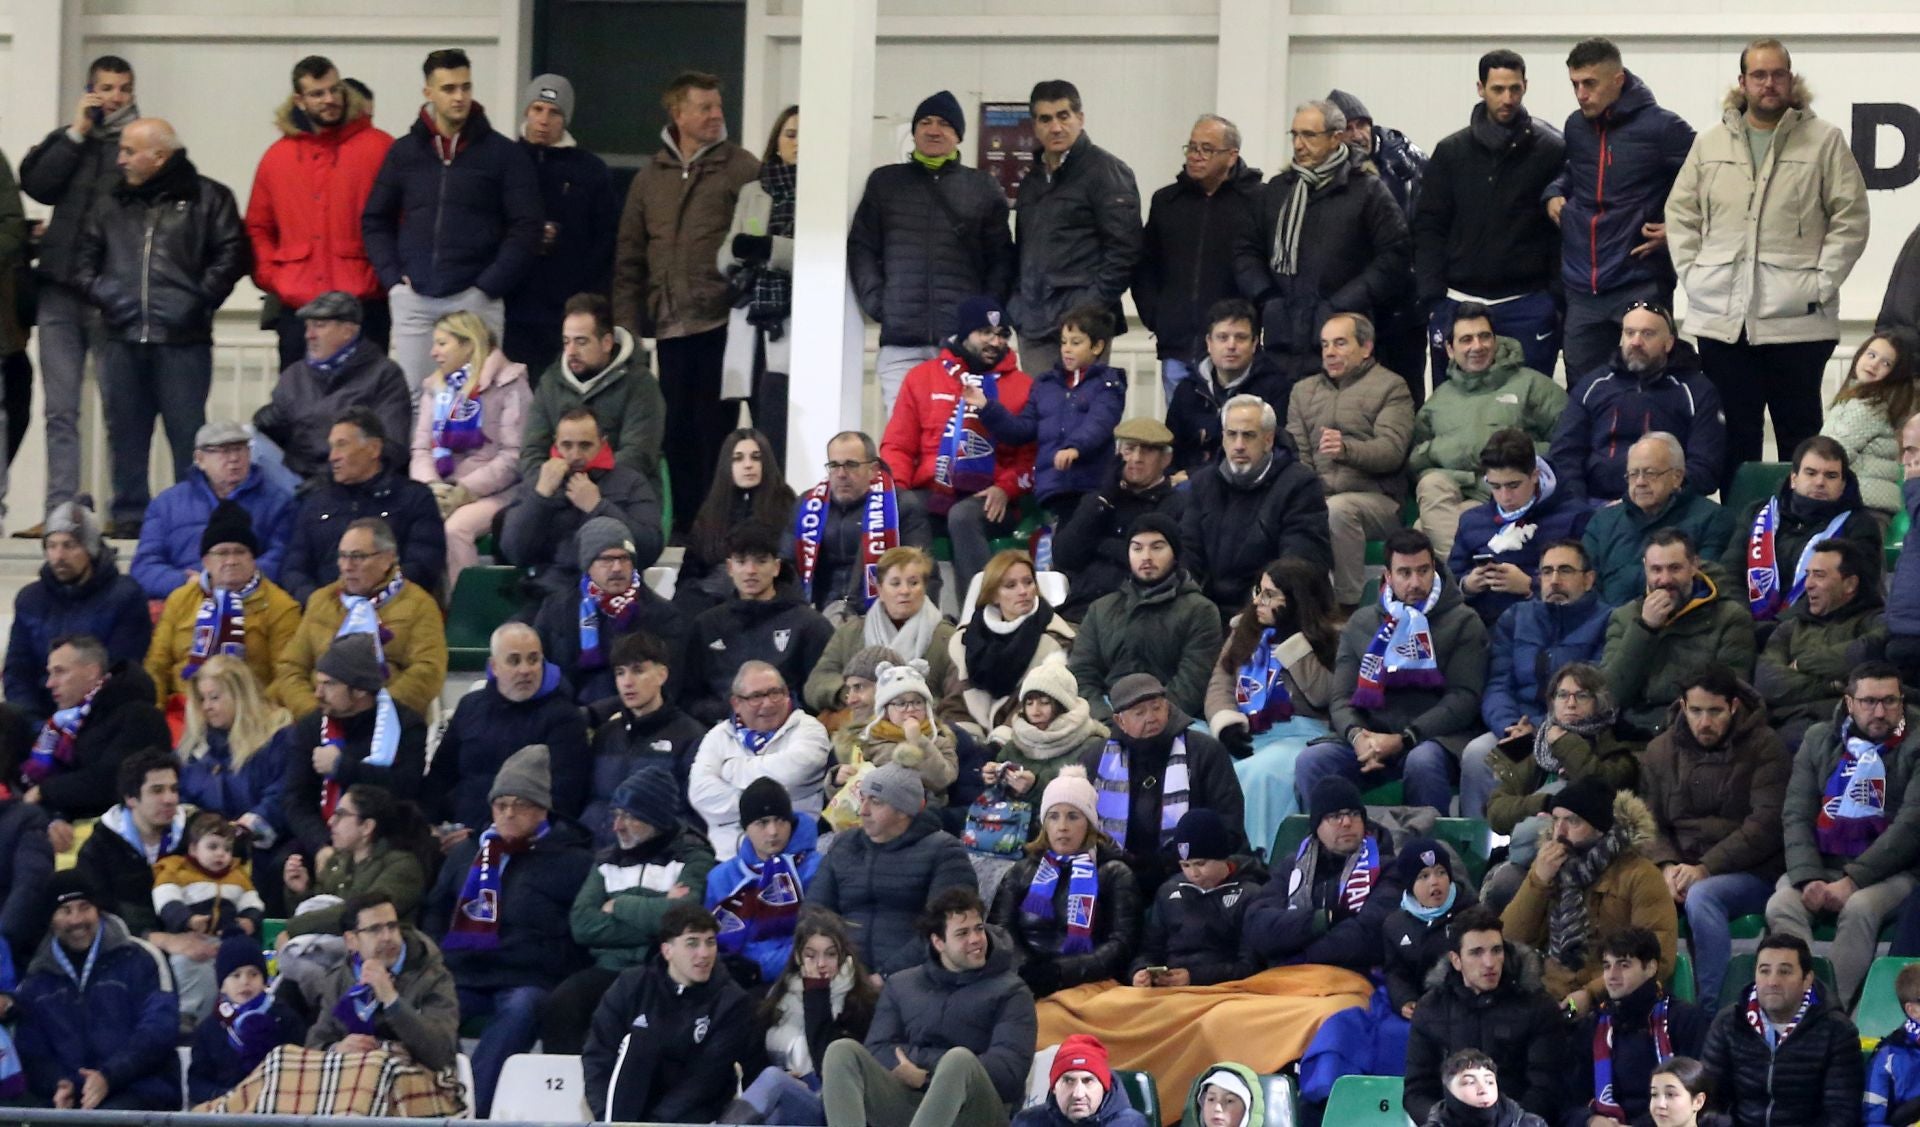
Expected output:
(375, 598)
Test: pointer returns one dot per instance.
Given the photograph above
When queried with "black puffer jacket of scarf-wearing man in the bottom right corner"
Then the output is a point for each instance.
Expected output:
(1812, 1080)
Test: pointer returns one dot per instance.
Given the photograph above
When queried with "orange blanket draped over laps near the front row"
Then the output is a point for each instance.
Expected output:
(1264, 1022)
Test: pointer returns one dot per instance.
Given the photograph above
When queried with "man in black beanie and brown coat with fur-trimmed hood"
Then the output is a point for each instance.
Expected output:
(1593, 880)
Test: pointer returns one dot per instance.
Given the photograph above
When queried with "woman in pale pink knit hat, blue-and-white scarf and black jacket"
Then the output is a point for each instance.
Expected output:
(1070, 905)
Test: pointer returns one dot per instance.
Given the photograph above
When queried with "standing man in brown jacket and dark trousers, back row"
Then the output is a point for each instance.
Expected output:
(665, 277)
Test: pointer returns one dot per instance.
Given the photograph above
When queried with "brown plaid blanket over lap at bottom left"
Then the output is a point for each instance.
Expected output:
(312, 1082)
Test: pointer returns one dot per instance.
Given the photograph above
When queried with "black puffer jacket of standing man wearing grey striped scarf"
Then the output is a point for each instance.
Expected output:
(1355, 258)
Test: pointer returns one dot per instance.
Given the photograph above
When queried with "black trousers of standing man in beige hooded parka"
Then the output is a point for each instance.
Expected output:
(1754, 379)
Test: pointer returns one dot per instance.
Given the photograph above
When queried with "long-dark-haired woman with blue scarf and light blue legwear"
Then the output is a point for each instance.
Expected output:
(1274, 684)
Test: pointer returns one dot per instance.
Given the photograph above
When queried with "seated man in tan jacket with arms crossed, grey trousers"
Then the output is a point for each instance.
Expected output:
(1353, 425)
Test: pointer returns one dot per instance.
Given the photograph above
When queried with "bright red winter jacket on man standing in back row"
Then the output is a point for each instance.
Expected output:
(304, 216)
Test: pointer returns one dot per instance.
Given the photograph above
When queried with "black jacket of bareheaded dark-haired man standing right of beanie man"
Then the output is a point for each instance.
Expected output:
(1078, 239)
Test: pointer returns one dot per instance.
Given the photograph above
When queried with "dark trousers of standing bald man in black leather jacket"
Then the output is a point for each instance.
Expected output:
(141, 383)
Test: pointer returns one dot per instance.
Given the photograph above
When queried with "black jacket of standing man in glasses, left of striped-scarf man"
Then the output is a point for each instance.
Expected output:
(1188, 256)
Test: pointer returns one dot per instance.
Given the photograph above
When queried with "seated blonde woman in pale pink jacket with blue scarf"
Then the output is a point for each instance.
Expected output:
(468, 433)
